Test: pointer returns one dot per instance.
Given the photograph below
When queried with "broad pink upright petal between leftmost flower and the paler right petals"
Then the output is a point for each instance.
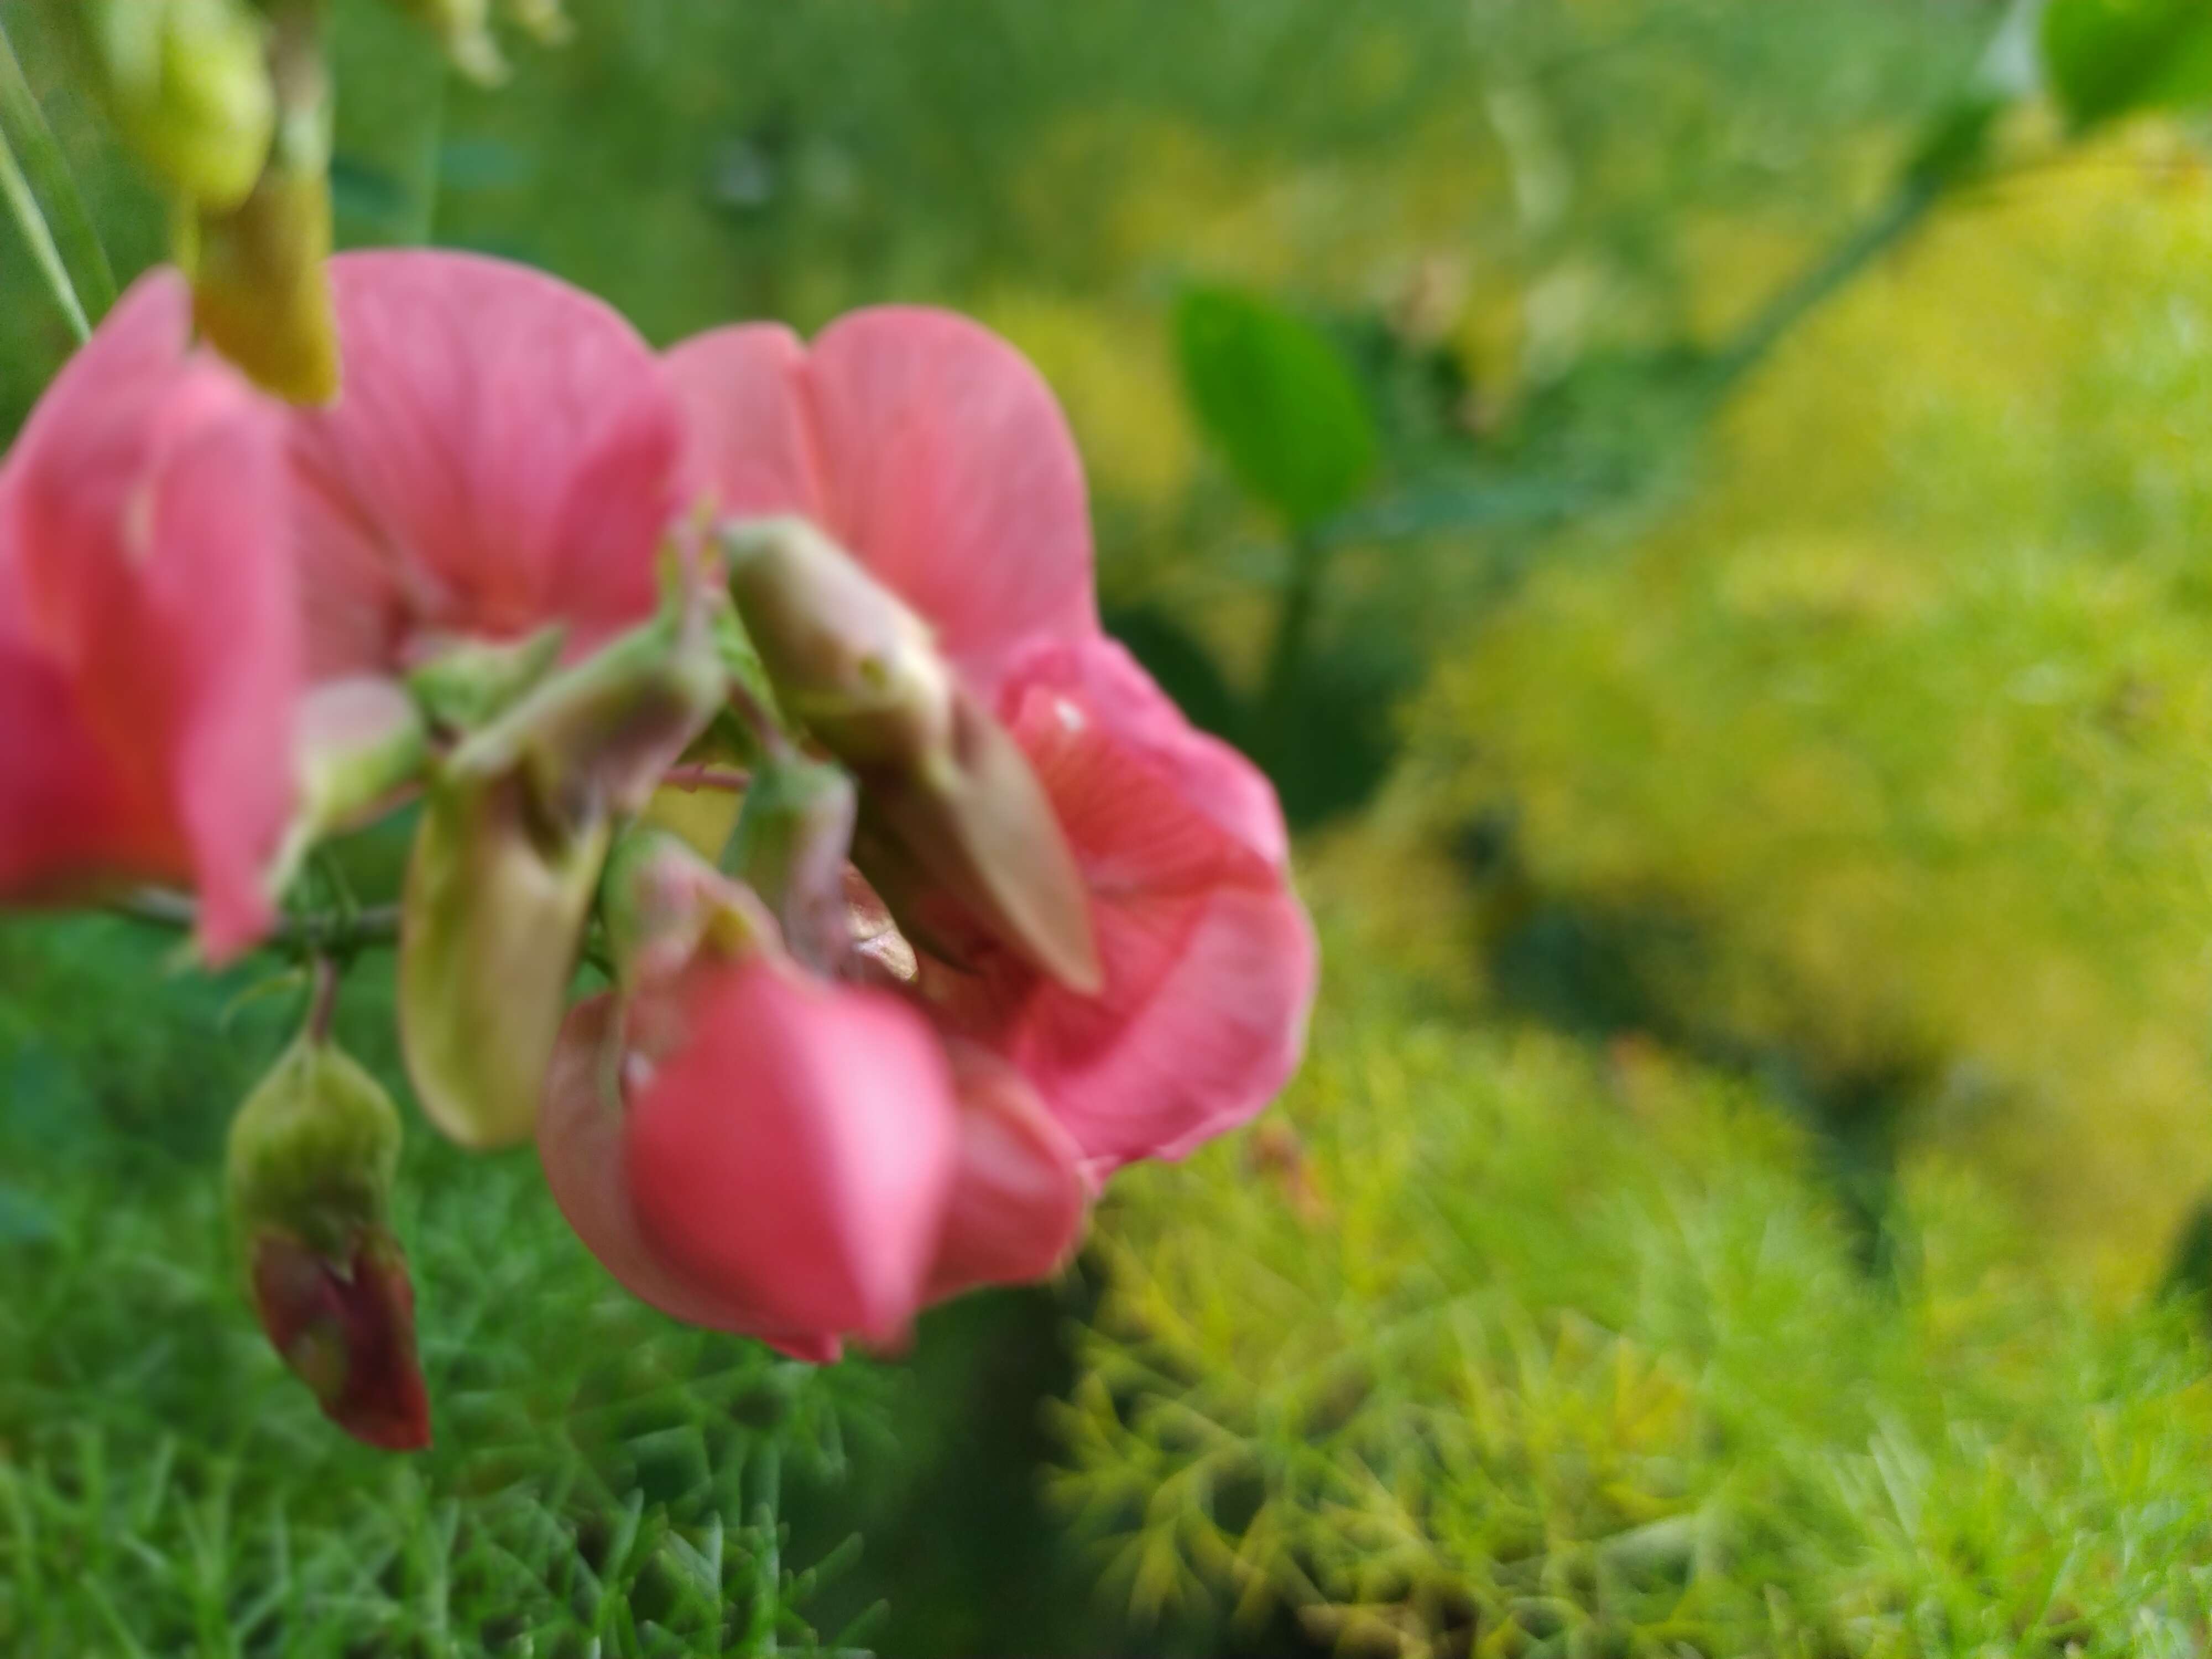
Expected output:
(501, 459)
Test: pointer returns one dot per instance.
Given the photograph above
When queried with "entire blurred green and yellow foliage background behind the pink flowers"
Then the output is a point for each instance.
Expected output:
(1698, 503)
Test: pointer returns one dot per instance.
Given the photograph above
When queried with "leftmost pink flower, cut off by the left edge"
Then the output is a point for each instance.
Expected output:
(149, 627)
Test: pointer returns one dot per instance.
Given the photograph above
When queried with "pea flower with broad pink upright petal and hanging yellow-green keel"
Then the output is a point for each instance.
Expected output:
(486, 503)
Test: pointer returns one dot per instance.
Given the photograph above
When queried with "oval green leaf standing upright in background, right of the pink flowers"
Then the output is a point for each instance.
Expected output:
(1277, 399)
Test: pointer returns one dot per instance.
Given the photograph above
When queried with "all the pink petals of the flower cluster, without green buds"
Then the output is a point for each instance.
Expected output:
(185, 567)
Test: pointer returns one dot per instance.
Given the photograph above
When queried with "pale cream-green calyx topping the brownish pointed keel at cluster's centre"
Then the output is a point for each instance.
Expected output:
(846, 656)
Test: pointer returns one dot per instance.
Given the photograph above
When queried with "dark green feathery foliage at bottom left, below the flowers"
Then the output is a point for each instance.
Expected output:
(603, 1481)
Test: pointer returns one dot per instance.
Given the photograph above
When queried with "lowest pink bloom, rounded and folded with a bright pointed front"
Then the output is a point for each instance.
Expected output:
(780, 1156)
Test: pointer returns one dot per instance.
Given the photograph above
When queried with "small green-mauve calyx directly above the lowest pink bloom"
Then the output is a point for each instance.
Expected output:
(793, 846)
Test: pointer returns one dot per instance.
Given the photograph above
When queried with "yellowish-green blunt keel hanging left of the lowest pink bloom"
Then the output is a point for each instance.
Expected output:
(499, 893)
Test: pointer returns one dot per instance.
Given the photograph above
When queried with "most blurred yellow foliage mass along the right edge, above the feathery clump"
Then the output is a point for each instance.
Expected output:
(1875, 764)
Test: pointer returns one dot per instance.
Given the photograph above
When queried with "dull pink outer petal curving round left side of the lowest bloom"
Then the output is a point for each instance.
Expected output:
(583, 1151)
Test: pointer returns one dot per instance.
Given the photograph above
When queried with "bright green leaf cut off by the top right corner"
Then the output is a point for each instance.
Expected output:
(2111, 59)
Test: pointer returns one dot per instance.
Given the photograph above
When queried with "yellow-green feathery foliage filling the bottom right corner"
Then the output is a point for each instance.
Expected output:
(1512, 1350)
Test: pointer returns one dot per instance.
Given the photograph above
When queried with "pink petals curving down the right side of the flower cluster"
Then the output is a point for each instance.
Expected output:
(939, 459)
